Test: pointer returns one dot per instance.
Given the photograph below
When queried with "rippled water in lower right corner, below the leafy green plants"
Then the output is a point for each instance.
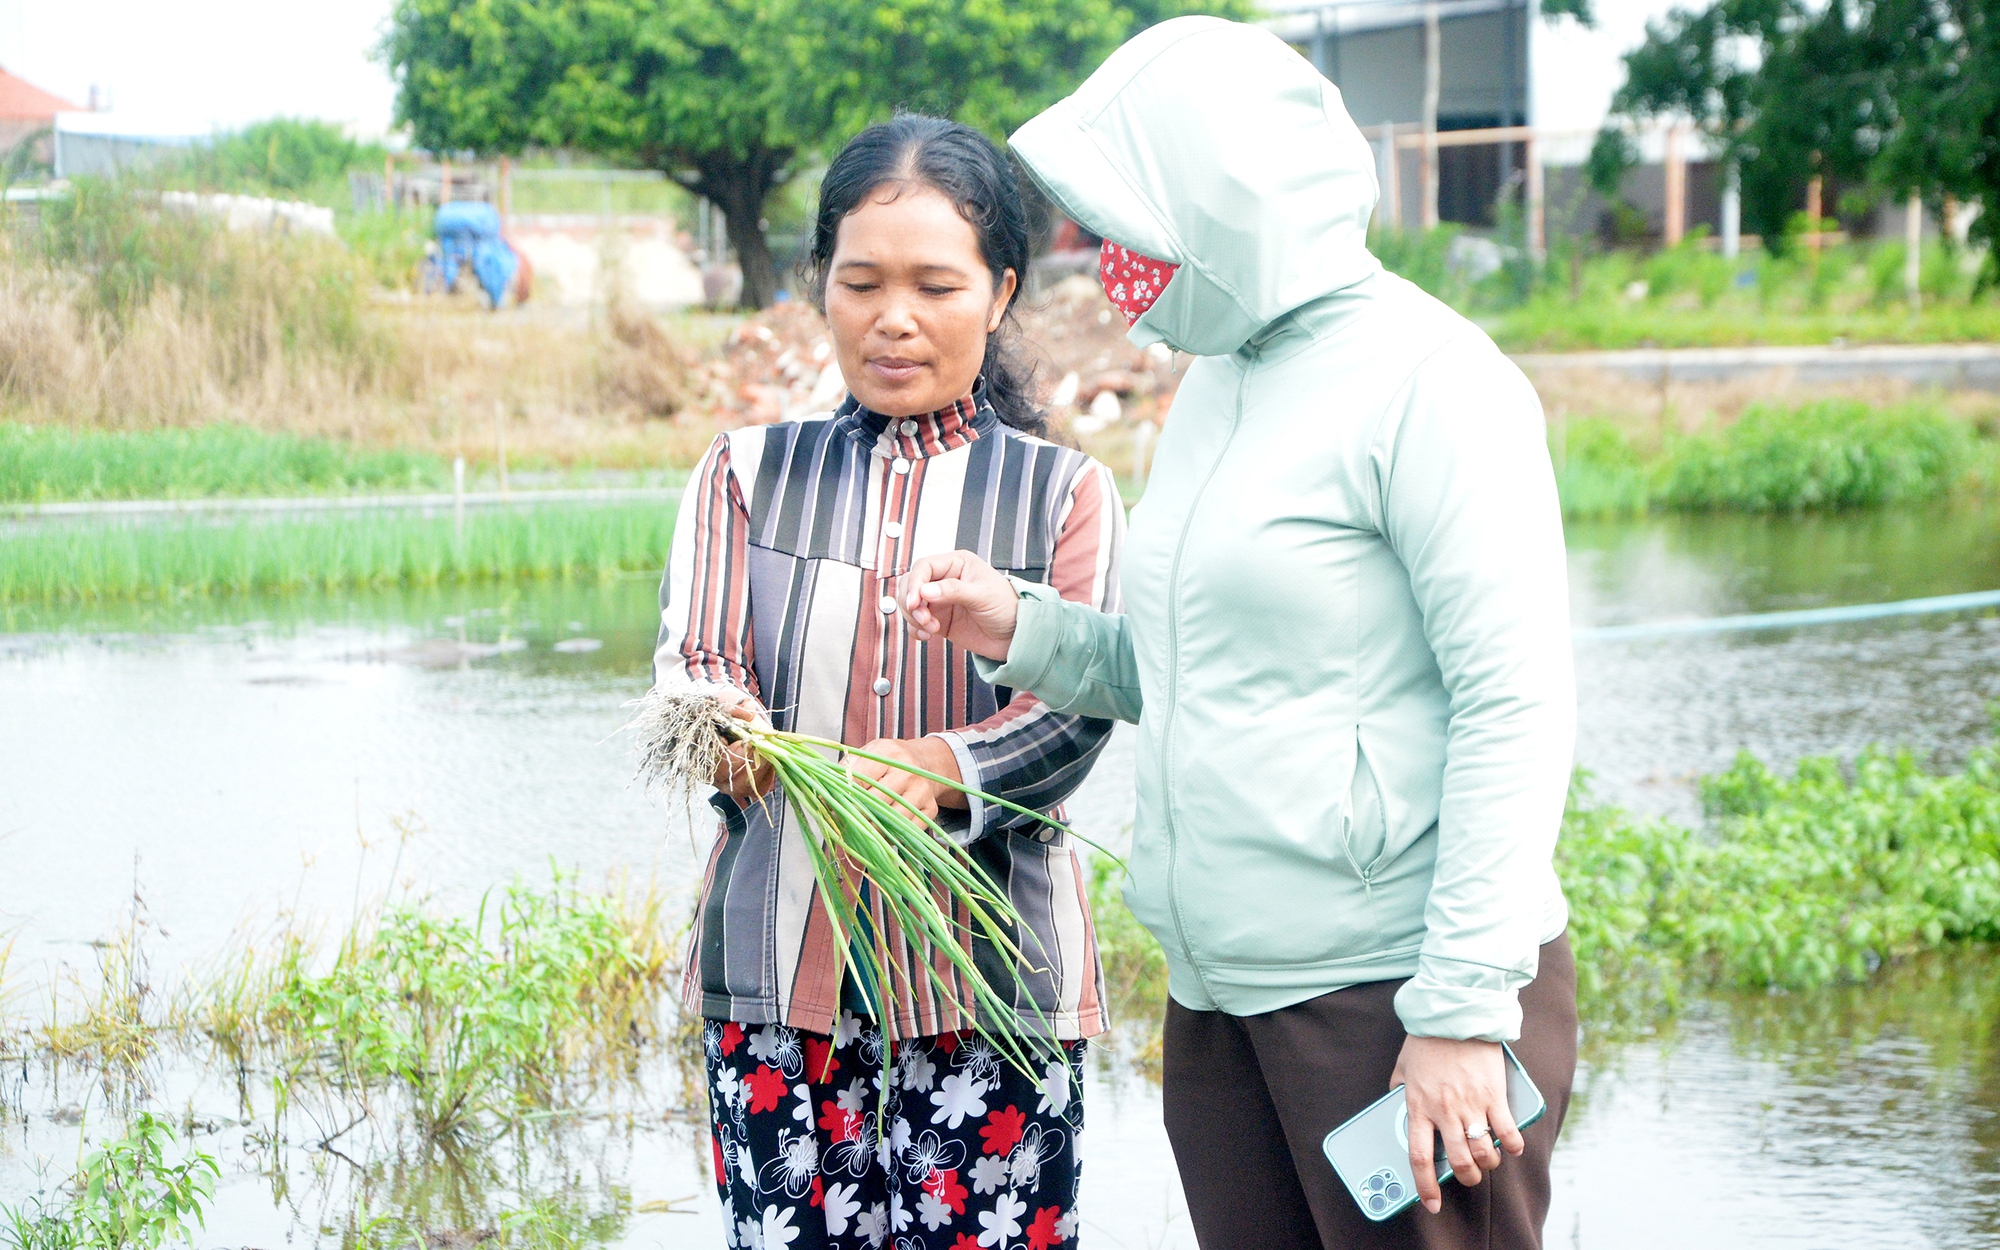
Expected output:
(1859, 1117)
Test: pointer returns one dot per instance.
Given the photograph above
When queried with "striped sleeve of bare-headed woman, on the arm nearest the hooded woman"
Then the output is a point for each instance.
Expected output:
(1027, 753)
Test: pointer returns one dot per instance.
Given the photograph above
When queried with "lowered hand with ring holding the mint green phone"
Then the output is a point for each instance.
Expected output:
(1455, 1087)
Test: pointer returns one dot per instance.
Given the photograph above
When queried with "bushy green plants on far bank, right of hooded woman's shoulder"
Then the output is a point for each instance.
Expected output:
(1775, 459)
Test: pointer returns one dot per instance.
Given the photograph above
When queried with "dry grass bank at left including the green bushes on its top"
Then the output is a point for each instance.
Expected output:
(277, 335)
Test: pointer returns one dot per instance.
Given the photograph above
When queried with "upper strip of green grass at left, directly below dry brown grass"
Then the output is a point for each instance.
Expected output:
(51, 463)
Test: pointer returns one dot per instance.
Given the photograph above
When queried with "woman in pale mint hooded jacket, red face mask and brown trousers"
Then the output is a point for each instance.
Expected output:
(1345, 647)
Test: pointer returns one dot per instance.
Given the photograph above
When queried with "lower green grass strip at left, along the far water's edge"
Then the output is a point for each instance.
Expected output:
(63, 563)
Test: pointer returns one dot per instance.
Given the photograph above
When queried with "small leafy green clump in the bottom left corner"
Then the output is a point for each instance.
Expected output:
(125, 1197)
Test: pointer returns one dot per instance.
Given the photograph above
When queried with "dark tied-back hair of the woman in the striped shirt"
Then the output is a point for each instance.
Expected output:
(969, 171)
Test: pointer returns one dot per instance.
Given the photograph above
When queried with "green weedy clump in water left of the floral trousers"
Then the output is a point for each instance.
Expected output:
(535, 997)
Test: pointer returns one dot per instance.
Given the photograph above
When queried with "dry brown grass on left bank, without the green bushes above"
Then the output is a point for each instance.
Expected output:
(443, 377)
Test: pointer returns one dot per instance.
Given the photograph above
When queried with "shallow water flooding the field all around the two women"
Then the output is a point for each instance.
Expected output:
(229, 761)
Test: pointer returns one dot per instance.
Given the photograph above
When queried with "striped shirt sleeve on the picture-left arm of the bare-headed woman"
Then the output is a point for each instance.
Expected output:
(705, 597)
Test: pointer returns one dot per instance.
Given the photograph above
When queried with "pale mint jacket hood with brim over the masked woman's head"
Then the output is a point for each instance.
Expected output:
(1215, 147)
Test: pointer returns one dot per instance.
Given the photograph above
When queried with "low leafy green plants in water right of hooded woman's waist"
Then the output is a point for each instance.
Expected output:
(1801, 881)
